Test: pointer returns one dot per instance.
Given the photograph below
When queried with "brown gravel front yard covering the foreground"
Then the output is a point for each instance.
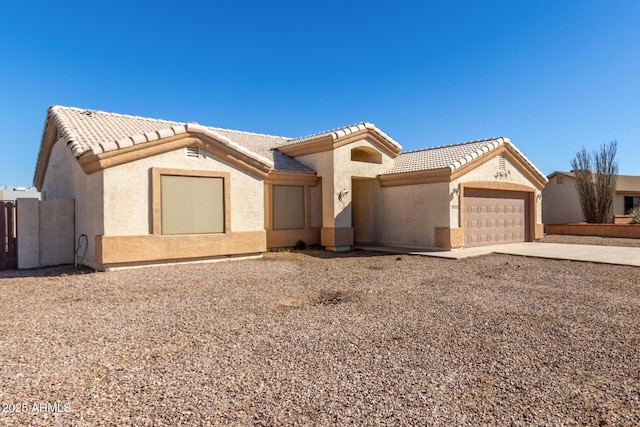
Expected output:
(314, 338)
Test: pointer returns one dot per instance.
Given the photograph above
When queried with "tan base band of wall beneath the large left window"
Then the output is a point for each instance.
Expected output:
(154, 248)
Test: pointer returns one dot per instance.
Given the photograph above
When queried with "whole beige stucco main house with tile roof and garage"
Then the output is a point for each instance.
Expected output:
(149, 191)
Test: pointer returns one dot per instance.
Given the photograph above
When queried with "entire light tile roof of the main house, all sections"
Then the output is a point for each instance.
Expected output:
(99, 132)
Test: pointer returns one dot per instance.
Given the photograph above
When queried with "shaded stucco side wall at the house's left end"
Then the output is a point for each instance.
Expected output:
(65, 179)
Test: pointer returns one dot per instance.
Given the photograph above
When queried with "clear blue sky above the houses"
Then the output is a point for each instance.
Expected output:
(553, 76)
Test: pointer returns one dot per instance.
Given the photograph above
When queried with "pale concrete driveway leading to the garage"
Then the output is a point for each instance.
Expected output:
(587, 253)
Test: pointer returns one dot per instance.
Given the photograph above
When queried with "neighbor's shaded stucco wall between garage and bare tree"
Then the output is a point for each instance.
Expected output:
(560, 202)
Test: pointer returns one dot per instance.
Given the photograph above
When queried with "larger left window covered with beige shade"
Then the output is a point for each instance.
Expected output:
(192, 204)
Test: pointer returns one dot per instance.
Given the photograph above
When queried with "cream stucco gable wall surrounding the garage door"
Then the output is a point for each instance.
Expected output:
(488, 172)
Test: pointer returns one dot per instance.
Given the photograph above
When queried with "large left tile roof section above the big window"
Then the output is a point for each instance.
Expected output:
(99, 132)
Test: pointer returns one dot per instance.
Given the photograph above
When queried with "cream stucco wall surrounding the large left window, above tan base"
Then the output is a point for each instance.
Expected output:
(127, 193)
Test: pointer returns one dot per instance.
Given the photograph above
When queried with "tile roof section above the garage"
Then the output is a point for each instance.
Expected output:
(448, 156)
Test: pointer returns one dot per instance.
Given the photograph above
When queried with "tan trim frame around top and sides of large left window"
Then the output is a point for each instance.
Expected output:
(156, 194)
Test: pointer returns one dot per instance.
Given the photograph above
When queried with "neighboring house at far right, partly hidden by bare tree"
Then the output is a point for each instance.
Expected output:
(562, 204)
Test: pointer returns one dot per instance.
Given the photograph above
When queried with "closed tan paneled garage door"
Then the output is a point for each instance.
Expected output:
(493, 217)
